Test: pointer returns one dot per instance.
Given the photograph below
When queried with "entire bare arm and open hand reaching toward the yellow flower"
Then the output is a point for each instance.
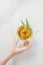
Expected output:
(14, 51)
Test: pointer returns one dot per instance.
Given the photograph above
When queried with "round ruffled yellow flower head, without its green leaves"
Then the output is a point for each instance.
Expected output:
(24, 33)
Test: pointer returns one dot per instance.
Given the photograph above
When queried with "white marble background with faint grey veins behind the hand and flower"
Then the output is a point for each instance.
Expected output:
(10, 16)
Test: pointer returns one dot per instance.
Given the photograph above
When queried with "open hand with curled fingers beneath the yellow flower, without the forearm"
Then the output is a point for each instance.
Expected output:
(23, 48)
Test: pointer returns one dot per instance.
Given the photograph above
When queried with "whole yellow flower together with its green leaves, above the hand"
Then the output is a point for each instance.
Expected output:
(24, 31)
